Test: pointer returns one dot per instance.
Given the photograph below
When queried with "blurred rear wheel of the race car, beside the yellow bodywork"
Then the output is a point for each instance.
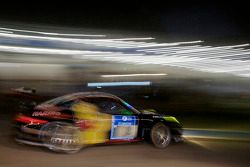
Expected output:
(61, 137)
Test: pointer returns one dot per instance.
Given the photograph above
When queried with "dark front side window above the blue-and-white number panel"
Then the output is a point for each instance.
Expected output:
(111, 106)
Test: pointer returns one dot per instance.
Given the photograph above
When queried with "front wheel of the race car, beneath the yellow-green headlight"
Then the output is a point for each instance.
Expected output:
(160, 135)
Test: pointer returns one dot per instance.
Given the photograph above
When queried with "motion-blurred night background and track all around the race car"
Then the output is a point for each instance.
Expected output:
(186, 59)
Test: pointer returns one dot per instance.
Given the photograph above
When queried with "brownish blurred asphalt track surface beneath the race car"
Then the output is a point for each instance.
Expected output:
(200, 152)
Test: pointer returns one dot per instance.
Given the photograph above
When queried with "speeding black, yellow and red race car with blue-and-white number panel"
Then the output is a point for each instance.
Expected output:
(71, 122)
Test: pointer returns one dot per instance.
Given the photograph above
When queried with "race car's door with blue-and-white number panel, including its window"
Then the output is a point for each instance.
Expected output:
(125, 122)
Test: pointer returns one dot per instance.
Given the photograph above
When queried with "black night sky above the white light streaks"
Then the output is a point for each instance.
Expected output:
(206, 18)
